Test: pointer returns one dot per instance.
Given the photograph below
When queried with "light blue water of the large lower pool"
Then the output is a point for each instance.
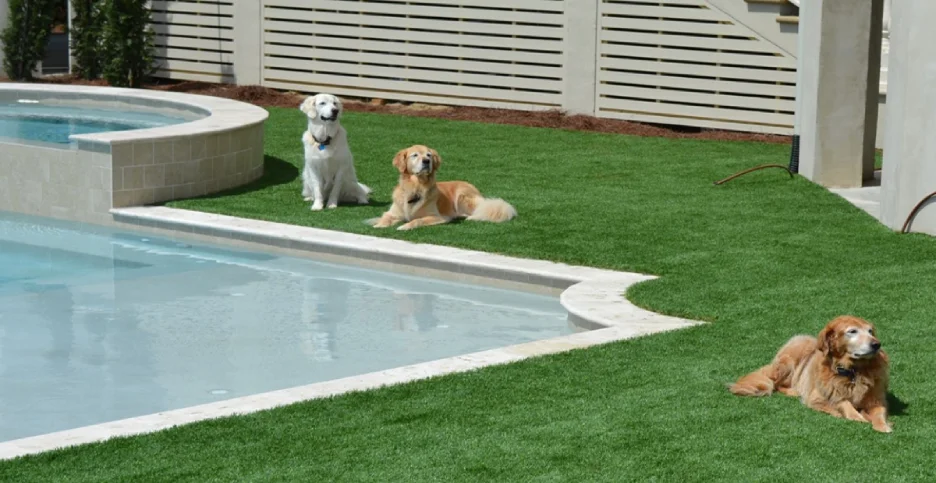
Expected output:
(103, 325)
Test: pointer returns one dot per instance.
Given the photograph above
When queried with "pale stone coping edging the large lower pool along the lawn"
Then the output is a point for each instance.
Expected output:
(593, 297)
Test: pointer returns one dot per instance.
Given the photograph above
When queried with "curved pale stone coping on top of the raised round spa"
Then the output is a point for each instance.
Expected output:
(209, 114)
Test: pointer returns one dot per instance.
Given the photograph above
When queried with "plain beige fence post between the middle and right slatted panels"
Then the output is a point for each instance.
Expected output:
(580, 69)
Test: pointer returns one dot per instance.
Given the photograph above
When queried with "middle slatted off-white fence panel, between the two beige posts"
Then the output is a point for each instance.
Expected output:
(496, 53)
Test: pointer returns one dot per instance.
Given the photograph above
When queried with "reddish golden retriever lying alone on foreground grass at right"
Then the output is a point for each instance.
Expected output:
(843, 373)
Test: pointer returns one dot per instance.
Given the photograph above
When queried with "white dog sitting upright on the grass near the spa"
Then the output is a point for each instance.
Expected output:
(328, 176)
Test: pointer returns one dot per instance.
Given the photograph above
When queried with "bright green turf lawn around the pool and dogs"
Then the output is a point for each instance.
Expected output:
(762, 258)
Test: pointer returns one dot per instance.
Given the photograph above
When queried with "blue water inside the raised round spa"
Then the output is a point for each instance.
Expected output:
(54, 124)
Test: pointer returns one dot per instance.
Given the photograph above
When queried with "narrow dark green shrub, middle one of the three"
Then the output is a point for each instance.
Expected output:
(87, 29)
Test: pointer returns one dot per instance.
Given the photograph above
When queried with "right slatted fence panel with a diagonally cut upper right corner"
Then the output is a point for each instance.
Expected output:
(685, 62)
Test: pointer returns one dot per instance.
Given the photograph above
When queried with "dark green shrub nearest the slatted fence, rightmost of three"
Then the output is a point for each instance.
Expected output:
(128, 42)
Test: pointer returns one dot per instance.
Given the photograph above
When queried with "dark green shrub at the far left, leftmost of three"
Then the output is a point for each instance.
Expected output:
(26, 37)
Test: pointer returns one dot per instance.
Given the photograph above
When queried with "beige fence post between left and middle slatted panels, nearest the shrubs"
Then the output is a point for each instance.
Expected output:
(248, 42)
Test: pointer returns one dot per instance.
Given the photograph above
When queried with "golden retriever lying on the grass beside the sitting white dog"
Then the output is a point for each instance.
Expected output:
(419, 200)
